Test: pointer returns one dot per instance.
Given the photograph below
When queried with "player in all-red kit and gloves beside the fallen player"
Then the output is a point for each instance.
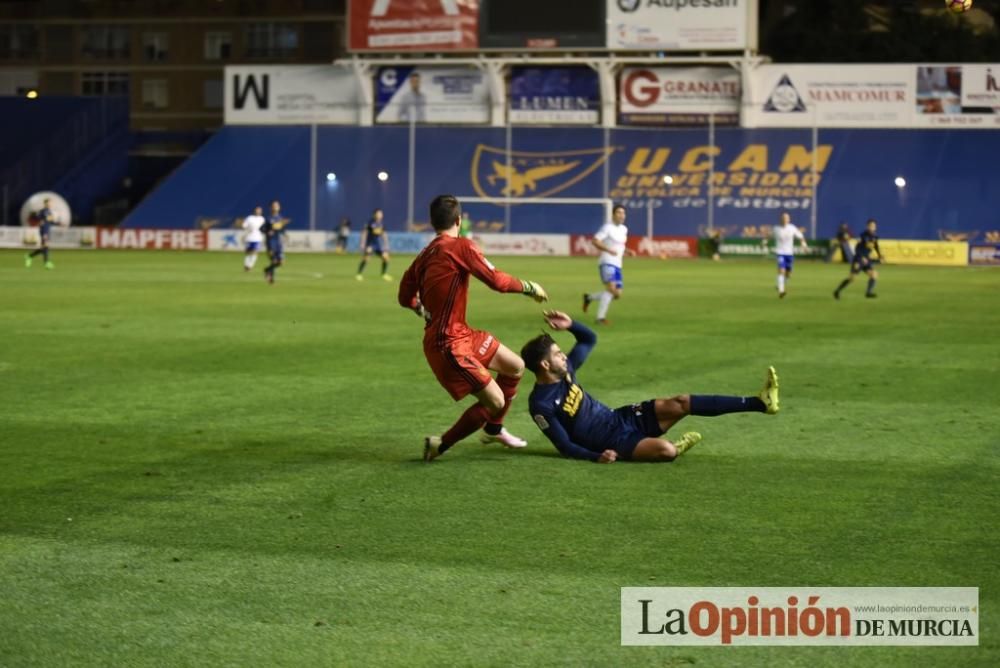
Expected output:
(436, 286)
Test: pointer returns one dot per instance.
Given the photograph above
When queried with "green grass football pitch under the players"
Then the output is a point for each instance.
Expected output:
(200, 469)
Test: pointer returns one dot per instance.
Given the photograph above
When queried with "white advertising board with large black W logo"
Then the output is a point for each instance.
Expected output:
(290, 95)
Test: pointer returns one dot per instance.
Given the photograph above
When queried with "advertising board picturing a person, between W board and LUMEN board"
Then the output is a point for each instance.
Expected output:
(405, 94)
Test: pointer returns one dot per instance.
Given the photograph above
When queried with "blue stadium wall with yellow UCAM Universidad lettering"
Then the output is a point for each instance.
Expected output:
(950, 177)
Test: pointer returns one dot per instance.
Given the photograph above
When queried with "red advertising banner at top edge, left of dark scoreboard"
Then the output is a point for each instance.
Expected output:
(413, 25)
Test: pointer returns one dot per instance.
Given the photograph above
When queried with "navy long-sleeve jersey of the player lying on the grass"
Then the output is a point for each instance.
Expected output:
(577, 424)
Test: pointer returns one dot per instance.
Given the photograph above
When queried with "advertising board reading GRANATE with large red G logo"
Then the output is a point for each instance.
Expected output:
(679, 95)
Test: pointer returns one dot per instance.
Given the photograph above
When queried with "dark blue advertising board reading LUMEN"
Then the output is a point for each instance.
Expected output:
(554, 95)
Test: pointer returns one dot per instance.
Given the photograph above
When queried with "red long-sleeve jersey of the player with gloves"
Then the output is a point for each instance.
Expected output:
(439, 278)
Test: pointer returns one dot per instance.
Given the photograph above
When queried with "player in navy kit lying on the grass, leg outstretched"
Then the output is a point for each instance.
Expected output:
(583, 428)
